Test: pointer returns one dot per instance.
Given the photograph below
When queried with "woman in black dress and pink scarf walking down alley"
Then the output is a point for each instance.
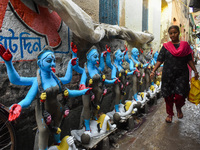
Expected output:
(175, 55)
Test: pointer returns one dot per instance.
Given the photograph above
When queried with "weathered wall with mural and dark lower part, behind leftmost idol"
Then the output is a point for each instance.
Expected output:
(25, 32)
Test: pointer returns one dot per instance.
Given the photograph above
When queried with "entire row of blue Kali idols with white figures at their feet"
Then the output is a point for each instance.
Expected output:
(50, 111)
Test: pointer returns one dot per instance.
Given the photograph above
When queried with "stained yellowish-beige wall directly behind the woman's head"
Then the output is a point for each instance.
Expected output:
(174, 13)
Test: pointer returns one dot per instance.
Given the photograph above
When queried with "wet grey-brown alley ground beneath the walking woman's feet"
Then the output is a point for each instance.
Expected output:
(155, 134)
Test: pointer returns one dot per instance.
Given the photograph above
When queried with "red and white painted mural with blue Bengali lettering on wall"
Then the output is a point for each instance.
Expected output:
(23, 32)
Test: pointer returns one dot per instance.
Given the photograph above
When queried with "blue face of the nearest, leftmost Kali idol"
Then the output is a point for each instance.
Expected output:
(47, 61)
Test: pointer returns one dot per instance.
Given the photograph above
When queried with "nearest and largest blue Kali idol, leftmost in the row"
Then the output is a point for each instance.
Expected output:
(49, 111)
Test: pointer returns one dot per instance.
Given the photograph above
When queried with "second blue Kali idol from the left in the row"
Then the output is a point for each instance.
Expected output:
(93, 76)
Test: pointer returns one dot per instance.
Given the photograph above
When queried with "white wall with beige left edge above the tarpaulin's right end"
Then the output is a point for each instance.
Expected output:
(131, 16)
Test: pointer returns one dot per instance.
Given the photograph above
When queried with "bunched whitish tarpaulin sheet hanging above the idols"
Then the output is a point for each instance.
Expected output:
(82, 25)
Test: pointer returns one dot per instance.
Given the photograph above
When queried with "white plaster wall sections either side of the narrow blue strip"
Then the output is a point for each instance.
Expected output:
(133, 18)
